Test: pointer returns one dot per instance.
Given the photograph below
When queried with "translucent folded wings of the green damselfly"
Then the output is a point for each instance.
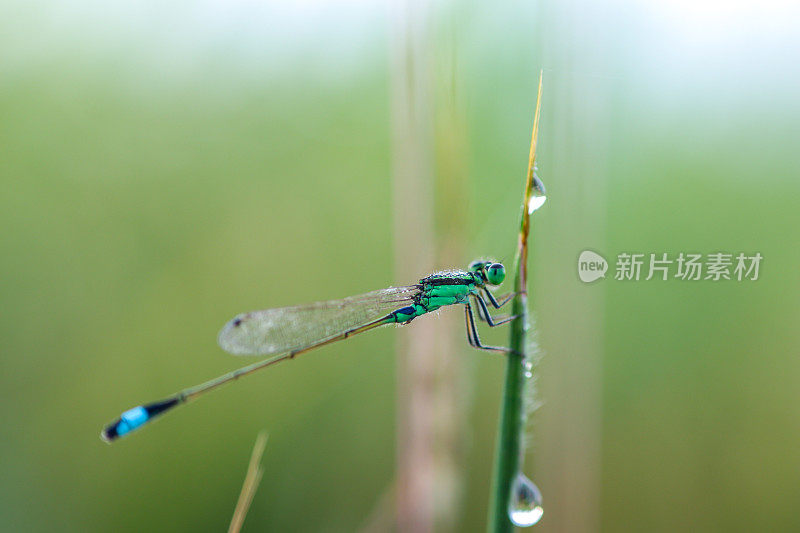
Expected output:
(282, 329)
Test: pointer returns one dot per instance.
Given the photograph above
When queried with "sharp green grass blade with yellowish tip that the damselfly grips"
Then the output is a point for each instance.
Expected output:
(508, 456)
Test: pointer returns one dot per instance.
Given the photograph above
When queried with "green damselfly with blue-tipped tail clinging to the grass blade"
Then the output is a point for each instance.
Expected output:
(286, 332)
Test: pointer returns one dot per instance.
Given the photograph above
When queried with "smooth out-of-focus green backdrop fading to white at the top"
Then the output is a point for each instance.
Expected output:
(165, 167)
